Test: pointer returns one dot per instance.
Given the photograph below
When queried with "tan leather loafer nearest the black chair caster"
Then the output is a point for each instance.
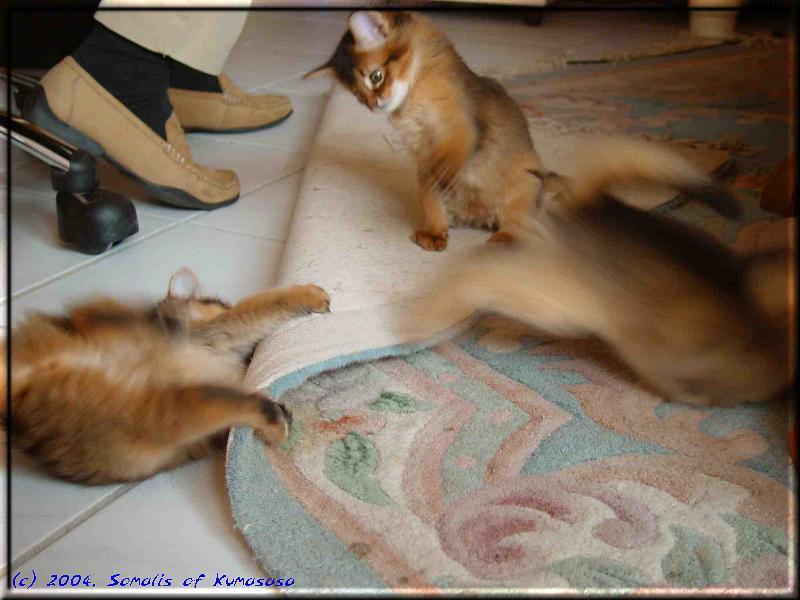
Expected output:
(71, 105)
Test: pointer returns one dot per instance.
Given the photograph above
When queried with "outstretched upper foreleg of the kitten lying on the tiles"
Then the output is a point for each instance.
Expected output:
(249, 320)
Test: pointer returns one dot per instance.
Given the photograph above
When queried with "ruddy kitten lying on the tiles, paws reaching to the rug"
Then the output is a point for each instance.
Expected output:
(116, 392)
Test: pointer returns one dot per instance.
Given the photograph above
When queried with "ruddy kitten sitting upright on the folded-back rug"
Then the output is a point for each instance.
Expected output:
(470, 140)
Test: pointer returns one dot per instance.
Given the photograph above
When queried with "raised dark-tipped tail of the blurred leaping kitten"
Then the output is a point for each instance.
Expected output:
(625, 161)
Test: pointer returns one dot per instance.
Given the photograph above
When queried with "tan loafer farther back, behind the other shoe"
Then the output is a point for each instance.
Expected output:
(232, 111)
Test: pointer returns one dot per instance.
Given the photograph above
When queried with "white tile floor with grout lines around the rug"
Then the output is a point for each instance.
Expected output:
(179, 522)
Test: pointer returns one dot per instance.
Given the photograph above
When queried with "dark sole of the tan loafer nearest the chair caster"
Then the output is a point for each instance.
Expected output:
(38, 111)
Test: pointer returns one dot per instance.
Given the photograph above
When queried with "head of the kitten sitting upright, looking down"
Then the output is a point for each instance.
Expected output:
(373, 60)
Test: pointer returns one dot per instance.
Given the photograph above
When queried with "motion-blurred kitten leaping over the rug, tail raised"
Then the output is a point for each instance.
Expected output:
(701, 324)
